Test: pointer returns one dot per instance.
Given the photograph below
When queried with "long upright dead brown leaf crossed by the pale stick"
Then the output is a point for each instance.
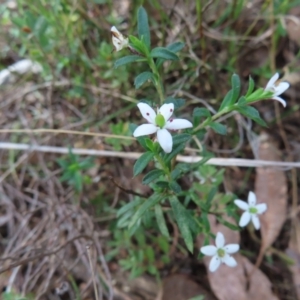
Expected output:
(270, 188)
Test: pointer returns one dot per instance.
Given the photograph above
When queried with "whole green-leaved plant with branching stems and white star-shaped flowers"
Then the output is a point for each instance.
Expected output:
(171, 134)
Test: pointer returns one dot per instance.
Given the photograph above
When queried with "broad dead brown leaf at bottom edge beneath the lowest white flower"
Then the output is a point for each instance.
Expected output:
(232, 283)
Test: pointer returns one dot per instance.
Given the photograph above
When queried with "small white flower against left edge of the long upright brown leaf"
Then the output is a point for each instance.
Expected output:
(252, 210)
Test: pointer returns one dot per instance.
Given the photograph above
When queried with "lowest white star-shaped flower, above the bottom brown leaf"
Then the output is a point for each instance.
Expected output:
(220, 253)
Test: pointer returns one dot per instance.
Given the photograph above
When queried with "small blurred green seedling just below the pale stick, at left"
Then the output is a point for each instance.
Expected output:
(72, 168)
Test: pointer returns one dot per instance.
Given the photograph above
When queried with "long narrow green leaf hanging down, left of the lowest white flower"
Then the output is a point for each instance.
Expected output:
(181, 217)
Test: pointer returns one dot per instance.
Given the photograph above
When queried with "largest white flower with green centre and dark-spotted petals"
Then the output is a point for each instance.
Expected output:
(159, 123)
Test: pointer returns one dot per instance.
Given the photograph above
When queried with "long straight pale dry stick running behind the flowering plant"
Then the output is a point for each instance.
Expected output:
(135, 155)
